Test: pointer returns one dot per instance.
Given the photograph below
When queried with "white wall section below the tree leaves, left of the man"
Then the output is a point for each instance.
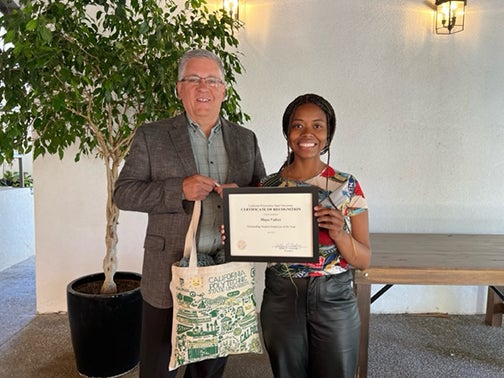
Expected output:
(70, 201)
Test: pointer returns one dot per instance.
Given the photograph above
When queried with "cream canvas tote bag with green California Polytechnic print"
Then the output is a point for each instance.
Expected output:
(214, 307)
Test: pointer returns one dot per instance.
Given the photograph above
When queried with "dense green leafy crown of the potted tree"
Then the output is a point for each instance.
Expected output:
(88, 80)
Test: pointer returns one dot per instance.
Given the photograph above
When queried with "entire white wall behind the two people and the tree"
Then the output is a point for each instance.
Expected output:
(420, 123)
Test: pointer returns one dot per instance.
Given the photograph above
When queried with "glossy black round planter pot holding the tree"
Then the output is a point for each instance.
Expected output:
(105, 329)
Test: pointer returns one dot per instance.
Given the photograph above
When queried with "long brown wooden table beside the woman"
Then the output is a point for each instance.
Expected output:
(430, 259)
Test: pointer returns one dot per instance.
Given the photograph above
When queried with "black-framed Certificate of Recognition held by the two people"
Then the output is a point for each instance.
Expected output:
(271, 224)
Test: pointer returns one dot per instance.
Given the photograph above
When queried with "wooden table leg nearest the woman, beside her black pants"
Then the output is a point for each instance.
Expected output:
(363, 292)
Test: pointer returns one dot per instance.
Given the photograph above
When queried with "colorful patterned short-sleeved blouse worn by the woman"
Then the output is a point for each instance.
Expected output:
(346, 194)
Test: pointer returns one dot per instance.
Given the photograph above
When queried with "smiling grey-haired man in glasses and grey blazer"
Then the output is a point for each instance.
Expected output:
(171, 164)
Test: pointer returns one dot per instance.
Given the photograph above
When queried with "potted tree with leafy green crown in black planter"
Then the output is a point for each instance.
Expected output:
(88, 73)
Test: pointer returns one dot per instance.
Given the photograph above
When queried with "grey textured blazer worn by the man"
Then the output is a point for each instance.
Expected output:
(160, 158)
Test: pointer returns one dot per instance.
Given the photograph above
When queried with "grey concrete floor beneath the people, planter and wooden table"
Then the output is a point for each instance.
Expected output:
(402, 345)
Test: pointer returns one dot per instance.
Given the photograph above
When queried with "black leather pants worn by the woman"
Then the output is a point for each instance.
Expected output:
(311, 326)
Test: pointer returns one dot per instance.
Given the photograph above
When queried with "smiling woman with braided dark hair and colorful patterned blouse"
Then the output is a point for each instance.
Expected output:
(309, 313)
